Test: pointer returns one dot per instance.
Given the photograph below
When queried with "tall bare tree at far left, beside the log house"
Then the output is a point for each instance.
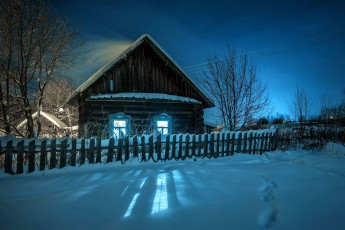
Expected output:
(36, 45)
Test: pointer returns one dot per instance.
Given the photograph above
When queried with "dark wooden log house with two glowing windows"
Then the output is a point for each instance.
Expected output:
(140, 91)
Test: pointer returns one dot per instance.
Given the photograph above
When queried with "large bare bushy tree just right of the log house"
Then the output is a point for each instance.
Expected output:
(233, 83)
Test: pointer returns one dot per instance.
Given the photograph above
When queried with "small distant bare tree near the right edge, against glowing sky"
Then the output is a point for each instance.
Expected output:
(301, 104)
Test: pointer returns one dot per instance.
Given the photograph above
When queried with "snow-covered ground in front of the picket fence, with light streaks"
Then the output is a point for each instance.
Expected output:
(277, 190)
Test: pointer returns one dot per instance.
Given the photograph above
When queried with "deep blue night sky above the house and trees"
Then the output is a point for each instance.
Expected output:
(293, 42)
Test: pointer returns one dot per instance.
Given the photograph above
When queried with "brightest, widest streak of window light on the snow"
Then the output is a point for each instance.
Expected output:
(160, 202)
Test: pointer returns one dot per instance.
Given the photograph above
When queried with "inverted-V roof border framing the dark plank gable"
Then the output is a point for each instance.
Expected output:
(163, 55)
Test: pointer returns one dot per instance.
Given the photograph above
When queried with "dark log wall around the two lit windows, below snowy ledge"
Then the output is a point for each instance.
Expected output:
(94, 116)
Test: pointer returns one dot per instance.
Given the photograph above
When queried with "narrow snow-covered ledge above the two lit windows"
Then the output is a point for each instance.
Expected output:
(145, 96)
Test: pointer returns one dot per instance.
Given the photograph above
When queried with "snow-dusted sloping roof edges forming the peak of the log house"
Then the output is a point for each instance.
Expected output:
(124, 54)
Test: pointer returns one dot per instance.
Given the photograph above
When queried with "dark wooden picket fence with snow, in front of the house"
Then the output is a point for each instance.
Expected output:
(27, 155)
